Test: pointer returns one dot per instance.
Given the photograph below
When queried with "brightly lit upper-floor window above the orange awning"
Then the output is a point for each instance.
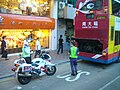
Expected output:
(26, 7)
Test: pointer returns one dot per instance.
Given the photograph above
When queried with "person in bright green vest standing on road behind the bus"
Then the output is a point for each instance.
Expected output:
(73, 58)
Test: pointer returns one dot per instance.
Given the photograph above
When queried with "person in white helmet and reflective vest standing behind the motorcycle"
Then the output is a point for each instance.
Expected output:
(26, 51)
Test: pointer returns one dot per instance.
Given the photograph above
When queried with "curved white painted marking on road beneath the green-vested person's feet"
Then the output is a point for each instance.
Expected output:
(68, 76)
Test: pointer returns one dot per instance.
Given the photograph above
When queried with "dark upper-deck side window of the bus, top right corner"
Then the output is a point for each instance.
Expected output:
(116, 7)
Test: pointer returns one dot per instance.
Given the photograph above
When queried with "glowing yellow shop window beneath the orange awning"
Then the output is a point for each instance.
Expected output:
(15, 38)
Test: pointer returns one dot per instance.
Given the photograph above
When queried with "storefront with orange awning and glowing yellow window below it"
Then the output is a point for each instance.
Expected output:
(18, 27)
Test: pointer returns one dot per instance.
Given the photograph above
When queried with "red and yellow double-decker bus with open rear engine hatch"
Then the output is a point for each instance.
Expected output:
(95, 31)
